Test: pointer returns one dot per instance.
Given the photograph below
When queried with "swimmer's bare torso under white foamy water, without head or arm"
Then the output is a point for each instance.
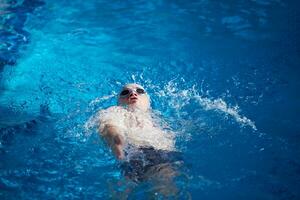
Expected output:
(138, 129)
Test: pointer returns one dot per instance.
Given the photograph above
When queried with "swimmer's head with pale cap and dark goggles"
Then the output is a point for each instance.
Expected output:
(134, 96)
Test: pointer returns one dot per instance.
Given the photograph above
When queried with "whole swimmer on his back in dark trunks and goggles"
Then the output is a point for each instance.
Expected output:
(147, 151)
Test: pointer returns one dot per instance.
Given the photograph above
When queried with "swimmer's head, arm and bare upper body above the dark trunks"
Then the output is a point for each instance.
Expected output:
(131, 122)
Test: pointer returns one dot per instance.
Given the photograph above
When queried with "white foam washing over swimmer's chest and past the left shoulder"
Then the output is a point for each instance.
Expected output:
(131, 124)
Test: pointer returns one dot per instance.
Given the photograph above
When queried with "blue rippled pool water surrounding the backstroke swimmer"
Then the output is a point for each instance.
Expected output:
(223, 74)
